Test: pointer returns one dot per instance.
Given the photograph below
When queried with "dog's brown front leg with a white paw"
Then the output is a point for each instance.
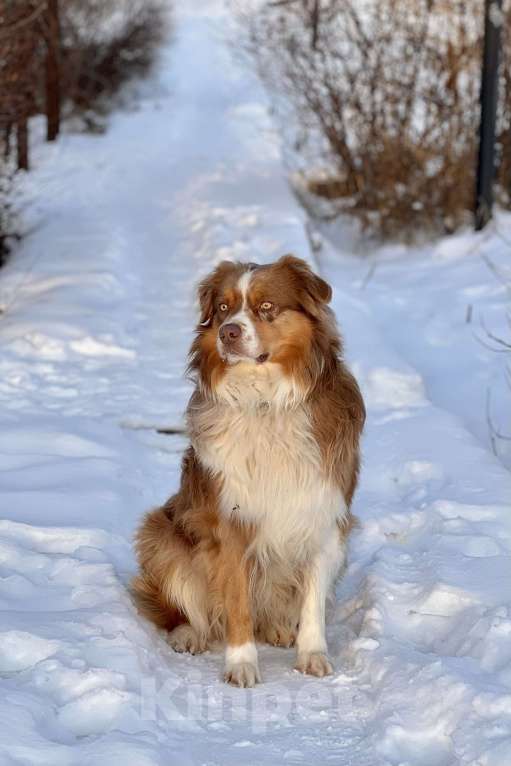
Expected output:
(241, 668)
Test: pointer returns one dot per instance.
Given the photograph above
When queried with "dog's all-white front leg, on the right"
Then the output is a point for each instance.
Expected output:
(311, 640)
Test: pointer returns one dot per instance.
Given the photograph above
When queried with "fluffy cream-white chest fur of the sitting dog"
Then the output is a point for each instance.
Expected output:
(270, 467)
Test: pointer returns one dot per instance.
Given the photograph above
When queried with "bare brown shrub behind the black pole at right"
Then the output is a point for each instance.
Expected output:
(385, 100)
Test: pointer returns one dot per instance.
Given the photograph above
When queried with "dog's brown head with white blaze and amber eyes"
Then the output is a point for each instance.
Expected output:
(253, 316)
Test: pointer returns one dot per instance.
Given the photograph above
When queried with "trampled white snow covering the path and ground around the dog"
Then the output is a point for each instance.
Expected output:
(98, 308)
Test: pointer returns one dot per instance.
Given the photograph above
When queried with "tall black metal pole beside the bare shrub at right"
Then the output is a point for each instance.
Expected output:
(489, 95)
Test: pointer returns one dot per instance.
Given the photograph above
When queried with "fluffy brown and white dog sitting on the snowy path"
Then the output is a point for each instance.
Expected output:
(250, 546)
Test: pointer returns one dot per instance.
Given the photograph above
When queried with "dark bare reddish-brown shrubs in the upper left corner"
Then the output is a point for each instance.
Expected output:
(78, 53)
